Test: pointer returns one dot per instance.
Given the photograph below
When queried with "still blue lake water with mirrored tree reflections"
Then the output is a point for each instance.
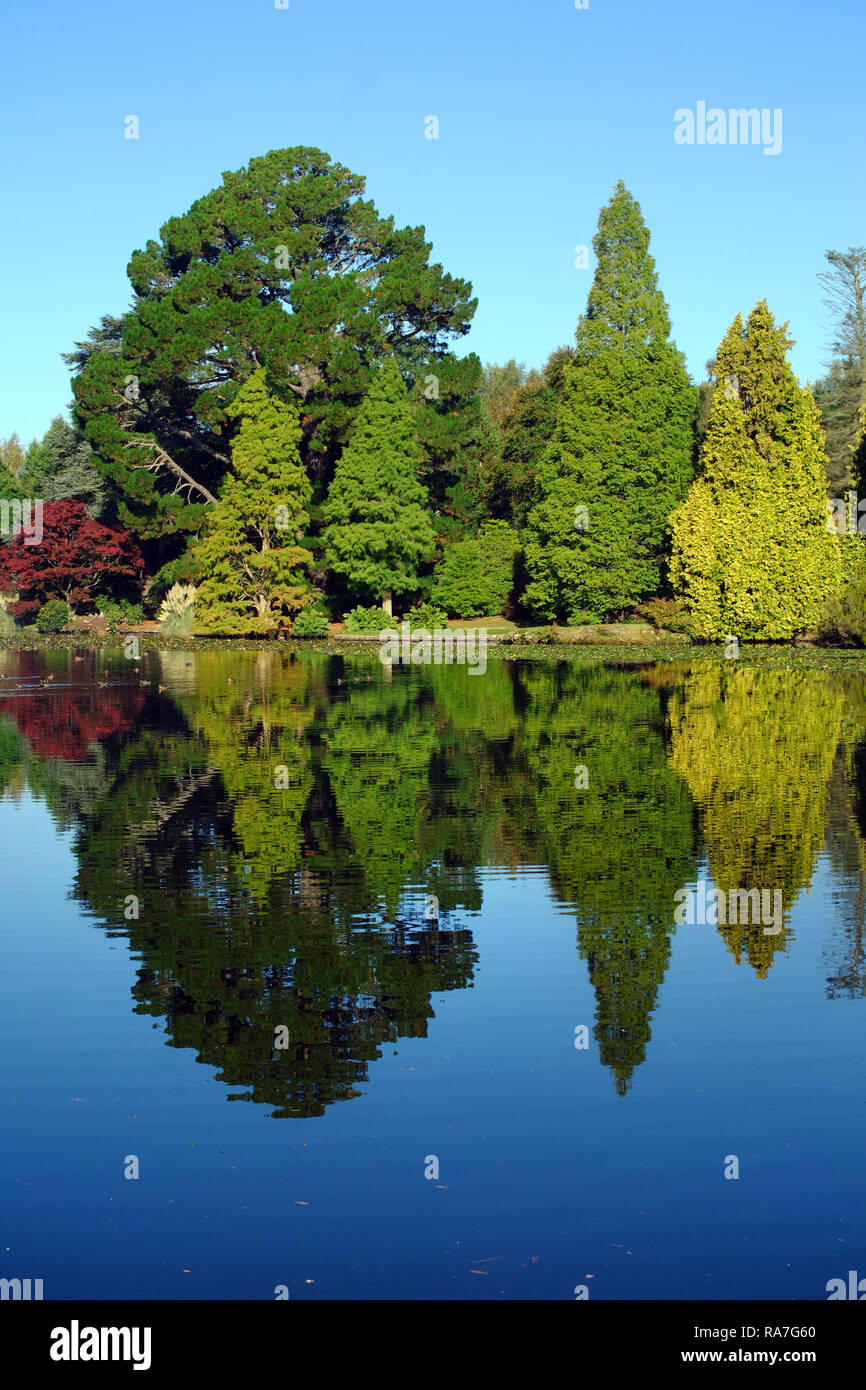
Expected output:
(313, 946)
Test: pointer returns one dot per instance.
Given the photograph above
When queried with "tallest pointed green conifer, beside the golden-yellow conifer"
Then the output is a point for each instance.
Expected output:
(621, 458)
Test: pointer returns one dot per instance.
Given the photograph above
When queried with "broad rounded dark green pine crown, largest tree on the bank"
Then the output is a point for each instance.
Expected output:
(286, 265)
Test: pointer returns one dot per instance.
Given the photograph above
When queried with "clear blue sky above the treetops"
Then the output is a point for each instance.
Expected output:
(543, 108)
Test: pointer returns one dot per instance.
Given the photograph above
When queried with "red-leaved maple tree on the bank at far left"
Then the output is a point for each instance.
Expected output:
(76, 561)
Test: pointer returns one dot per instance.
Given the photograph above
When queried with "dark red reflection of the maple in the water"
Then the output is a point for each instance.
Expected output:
(60, 723)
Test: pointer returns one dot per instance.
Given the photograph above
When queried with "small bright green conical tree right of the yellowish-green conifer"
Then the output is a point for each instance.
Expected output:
(380, 529)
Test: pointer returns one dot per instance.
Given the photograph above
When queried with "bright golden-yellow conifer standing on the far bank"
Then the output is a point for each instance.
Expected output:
(753, 553)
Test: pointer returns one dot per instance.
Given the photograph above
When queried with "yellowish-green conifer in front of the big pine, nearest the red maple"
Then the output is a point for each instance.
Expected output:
(252, 569)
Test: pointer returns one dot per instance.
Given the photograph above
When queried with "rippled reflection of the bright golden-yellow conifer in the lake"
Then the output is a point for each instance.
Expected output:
(757, 750)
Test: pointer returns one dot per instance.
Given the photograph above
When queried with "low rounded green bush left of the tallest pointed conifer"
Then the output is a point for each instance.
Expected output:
(475, 579)
